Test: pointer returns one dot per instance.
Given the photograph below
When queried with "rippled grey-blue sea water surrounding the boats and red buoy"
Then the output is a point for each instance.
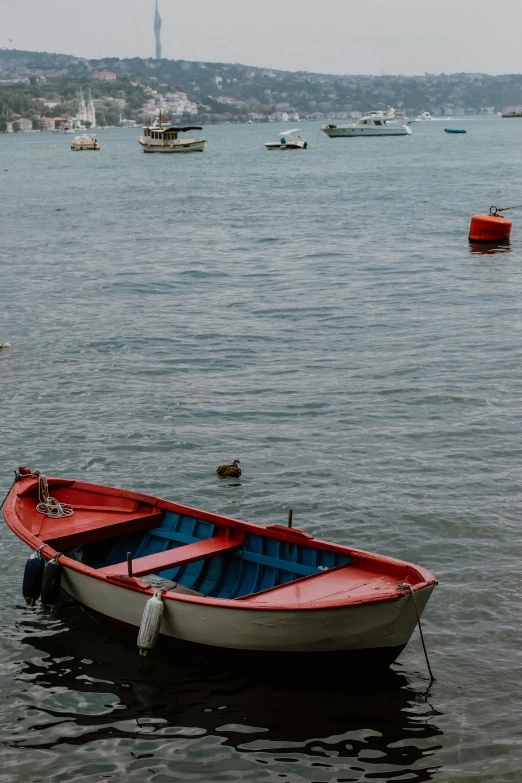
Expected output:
(321, 317)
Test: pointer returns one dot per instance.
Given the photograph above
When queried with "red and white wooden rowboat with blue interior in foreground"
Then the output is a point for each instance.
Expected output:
(214, 581)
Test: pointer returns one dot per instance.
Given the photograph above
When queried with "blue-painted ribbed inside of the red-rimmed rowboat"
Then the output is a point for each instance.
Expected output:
(260, 563)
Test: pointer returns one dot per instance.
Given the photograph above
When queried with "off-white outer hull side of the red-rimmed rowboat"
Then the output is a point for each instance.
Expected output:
(385, 625)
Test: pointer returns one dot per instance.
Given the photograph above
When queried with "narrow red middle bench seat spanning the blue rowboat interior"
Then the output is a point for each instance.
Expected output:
(171, 558)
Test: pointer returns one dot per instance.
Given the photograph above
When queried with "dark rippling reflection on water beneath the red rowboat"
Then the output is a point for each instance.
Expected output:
(90, 686)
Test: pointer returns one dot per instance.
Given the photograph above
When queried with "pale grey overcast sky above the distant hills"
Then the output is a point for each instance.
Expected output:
(331, 36)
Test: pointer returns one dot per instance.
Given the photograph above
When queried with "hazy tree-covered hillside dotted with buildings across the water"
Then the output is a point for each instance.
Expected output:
(224, 91)
